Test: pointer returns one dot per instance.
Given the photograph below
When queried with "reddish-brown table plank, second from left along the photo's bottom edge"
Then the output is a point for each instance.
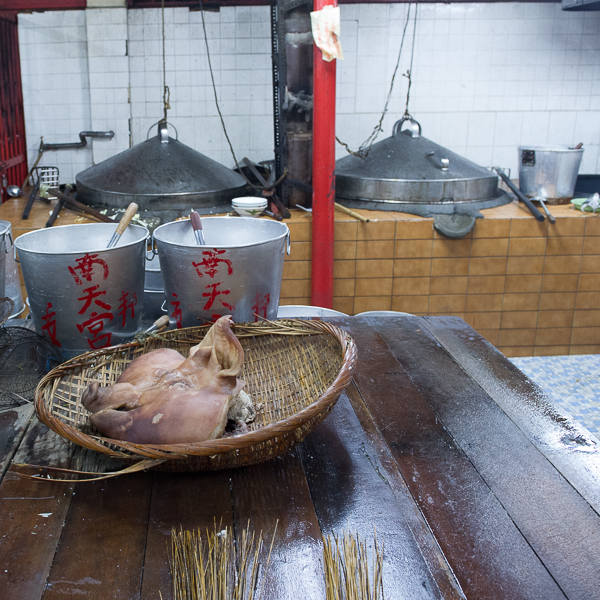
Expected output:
(101, 550)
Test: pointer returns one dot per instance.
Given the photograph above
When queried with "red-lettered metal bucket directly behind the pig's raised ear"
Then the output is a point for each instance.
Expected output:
(238, 272)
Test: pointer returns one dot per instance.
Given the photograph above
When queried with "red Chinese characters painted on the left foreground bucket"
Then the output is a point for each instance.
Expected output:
(90, 272)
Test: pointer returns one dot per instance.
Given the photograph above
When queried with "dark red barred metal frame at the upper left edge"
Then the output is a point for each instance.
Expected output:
(13, 149)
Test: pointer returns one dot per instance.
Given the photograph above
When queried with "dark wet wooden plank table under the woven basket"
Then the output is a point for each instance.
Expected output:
(478, 484)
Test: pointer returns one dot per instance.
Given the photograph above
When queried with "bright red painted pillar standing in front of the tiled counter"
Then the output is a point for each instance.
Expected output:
(323, 175)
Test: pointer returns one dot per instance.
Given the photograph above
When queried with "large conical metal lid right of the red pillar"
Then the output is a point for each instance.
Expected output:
(407, 167)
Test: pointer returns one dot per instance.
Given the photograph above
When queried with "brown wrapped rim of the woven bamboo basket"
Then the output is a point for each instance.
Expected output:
(208, 447)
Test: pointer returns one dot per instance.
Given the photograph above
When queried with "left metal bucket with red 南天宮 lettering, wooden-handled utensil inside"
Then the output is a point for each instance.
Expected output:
(82, 296)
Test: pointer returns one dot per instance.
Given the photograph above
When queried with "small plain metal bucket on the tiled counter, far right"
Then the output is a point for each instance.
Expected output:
(549, 172)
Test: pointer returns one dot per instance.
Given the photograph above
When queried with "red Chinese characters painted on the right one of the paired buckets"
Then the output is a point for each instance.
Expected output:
(217, 269)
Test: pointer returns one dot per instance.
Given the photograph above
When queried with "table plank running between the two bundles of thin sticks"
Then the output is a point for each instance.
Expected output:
(277, 490)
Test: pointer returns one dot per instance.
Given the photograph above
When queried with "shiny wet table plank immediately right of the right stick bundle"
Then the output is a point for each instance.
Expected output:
(355, 486)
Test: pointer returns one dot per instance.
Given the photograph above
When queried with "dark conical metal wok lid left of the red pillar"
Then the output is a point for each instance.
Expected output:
(159, 174)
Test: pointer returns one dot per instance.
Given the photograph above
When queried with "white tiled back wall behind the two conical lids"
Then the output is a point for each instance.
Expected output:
(486, 78)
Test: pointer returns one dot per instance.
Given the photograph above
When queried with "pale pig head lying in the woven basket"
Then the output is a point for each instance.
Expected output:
(164, 398)
